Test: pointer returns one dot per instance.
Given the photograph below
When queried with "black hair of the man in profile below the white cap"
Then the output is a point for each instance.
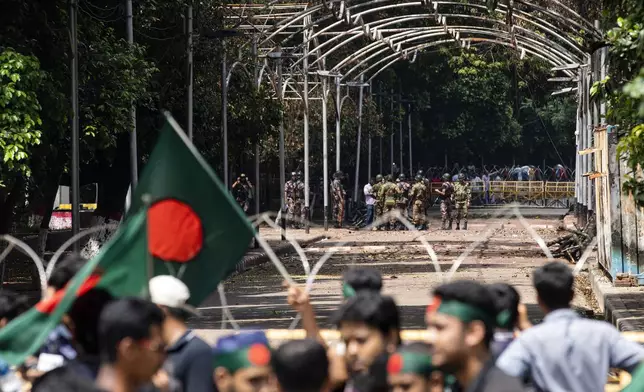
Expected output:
(125, 318)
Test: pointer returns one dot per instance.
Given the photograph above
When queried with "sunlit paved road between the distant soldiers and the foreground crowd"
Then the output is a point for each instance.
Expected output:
(510, 253)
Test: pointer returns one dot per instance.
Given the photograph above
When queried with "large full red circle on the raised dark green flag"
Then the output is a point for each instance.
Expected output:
(175, 232)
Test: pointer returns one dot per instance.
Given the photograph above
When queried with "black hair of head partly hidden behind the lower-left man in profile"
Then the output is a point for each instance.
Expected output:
(85, 313)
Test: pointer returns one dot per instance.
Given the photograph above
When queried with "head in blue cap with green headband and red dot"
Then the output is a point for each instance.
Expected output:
(242, 363)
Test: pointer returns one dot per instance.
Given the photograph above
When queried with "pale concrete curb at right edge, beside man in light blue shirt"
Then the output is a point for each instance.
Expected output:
(622, 306)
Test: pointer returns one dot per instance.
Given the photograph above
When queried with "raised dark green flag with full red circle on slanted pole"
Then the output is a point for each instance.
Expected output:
(196, 230)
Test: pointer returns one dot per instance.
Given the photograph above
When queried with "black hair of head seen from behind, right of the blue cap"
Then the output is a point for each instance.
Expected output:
(301, 366)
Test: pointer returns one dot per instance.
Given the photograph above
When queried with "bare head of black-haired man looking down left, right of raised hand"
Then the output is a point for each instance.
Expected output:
(370, 326)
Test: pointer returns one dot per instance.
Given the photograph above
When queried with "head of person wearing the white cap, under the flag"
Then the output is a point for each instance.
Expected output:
(171, 294)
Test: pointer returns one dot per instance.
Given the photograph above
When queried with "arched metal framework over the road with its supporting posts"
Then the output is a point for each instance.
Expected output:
(360, 39)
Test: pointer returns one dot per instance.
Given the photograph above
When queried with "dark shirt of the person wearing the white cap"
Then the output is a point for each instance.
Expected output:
(190, 362)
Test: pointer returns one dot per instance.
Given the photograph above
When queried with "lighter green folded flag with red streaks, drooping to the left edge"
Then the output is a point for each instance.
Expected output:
(120, 268)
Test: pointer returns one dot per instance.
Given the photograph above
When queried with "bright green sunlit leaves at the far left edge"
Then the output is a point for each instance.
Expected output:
(20, 120)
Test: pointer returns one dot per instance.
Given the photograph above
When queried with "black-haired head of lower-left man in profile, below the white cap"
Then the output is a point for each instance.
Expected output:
(130, 339)
